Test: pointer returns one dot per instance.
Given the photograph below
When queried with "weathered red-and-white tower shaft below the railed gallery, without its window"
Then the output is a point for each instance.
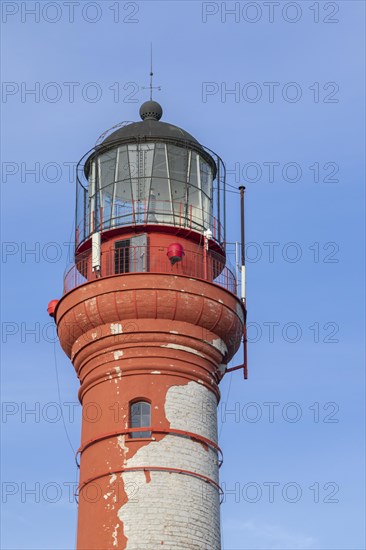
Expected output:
(147, 324)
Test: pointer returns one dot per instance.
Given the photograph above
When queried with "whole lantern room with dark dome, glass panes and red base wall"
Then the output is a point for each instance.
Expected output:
(145, 189)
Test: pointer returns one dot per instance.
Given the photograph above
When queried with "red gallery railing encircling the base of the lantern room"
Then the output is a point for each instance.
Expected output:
(146, 259)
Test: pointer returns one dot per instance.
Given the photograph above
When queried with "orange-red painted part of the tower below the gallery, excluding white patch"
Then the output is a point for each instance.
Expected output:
(152, 312)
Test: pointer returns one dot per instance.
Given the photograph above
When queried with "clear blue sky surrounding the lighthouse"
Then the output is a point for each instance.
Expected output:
(311, 367)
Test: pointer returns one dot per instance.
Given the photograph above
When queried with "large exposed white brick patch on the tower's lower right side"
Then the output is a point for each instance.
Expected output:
(163, 492)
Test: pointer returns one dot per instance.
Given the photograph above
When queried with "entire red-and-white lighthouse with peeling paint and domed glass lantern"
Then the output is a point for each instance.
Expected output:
(149, 318)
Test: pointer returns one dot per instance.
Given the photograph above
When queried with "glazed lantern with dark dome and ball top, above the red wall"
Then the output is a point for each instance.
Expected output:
(150, 173)
